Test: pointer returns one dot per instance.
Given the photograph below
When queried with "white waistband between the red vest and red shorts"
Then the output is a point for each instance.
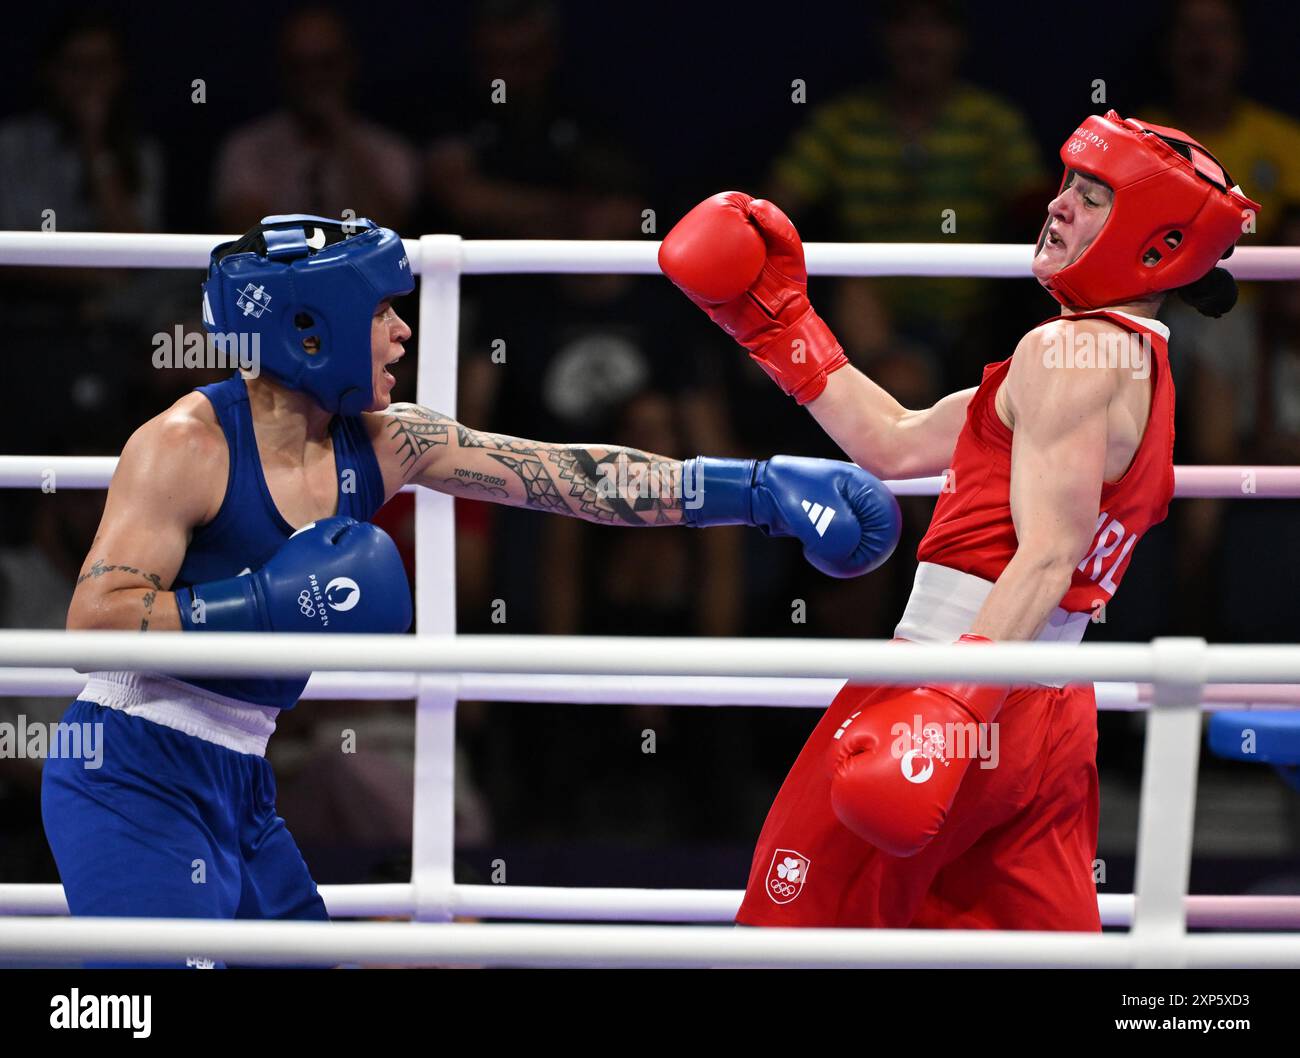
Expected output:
(944, 604)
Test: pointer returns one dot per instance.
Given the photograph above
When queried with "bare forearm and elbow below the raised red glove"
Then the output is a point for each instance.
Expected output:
(881, 435)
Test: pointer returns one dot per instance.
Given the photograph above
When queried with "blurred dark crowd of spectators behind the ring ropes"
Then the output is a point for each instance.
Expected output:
(518, 154)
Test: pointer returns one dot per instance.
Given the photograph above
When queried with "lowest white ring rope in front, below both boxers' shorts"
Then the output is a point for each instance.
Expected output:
(422, 944)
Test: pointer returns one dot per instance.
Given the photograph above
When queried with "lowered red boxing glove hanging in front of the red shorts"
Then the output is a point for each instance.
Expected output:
(896, 765)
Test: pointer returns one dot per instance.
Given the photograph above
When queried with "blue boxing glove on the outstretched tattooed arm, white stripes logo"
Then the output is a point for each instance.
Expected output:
(847, 521)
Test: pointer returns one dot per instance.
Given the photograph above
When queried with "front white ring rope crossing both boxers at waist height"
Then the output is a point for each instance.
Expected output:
(1181, 664)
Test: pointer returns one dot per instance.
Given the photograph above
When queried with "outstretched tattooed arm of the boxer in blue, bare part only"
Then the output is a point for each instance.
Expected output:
(597, 483)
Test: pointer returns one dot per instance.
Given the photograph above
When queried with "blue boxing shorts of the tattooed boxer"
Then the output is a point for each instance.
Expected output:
(171, 825)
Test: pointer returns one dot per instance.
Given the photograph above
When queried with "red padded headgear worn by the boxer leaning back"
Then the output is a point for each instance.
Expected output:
(1172, 219)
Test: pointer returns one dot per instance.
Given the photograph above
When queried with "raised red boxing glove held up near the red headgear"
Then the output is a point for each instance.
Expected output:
(742, 262)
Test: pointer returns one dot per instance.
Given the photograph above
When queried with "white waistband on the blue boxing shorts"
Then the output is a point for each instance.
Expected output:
(227, 722)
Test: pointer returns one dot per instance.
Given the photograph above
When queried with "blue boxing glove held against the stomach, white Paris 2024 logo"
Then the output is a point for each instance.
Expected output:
(335, 575)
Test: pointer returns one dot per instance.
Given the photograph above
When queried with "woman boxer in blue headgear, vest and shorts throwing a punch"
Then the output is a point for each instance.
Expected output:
(244, 509)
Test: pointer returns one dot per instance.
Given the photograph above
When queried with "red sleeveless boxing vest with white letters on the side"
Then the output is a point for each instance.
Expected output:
(972, 530)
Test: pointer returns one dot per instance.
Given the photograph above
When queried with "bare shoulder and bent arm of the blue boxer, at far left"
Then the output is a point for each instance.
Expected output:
(154, 504)
